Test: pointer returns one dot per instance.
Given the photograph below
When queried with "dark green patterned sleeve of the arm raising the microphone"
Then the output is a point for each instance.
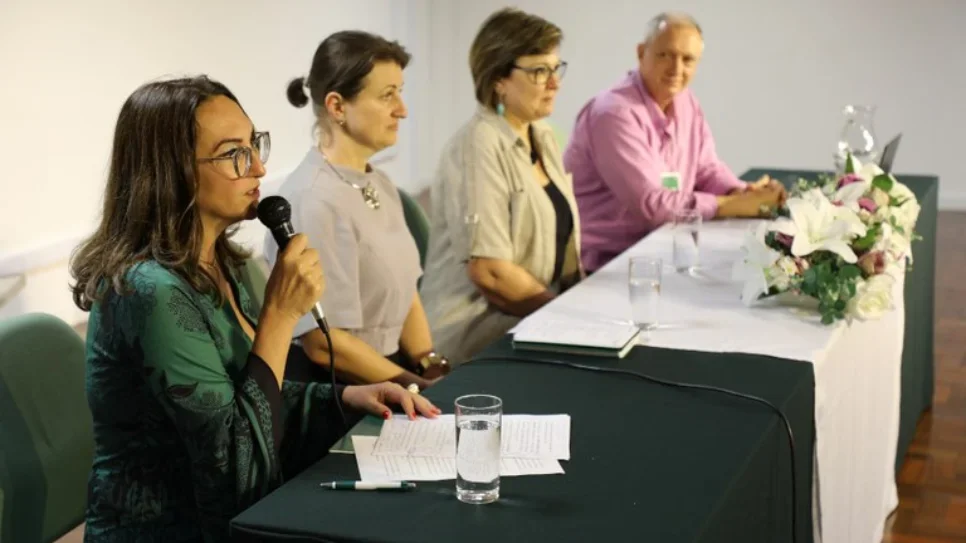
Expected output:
(231, 424)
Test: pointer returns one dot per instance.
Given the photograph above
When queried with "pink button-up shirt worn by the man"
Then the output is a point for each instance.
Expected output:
(621, 144)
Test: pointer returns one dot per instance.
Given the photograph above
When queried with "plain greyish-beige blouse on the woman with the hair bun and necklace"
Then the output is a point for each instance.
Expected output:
(369, 257)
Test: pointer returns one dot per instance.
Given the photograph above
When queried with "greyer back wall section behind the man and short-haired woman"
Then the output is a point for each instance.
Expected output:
(774, 77)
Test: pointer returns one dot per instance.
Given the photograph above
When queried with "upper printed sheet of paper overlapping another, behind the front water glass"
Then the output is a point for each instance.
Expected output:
(522, 436)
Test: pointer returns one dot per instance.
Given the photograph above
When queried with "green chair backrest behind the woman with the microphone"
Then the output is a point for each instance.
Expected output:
(46, 436)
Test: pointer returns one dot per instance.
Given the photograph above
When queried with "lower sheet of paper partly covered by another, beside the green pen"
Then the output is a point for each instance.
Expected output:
(415, 468)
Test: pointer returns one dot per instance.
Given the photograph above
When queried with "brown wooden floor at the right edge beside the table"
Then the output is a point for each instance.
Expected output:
(932, 482)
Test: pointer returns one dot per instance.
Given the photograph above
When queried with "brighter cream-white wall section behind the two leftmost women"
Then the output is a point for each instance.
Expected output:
(68, 66)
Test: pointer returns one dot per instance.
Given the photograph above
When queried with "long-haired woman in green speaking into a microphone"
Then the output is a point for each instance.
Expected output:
(193, 419)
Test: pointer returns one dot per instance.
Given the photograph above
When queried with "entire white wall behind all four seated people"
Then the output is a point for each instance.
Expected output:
(773, 81)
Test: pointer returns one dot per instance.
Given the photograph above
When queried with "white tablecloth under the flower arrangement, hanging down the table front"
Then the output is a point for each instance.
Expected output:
(857, 367)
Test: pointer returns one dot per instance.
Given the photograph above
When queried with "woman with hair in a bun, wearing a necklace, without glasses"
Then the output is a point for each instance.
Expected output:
(353, 215)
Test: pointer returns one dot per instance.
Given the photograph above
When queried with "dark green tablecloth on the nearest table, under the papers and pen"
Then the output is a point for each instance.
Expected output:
(648, 463)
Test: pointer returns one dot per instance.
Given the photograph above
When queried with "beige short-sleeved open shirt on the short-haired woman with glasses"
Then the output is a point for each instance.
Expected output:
(486, 202)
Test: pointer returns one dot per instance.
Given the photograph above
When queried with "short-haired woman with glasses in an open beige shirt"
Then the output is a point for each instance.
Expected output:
(505, 228)
